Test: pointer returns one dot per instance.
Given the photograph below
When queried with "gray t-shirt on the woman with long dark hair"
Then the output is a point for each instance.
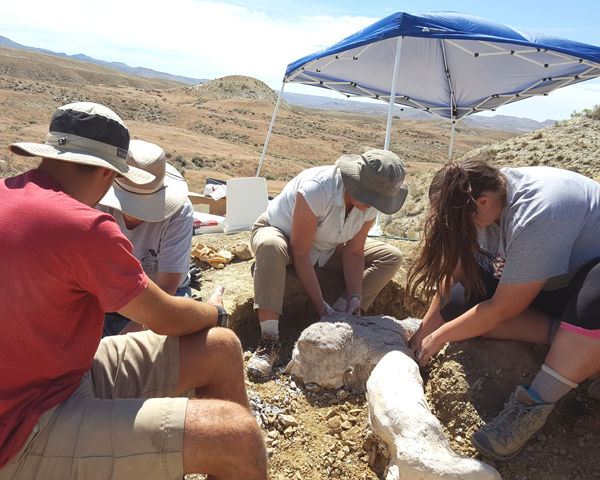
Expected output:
(549, 228)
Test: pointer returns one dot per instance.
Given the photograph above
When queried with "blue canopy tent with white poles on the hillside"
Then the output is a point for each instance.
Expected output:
(448, 64)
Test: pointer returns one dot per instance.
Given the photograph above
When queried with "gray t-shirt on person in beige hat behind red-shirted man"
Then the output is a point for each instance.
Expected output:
(161, 246)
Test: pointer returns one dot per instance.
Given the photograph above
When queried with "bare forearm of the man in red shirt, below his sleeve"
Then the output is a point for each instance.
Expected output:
(168, 315)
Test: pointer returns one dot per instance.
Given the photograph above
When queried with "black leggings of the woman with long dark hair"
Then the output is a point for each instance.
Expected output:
(577, 304)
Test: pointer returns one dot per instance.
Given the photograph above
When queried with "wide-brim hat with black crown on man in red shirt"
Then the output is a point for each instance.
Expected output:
(90, 134)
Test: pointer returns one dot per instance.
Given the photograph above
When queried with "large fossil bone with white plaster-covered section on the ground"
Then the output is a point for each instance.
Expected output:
(344, 350)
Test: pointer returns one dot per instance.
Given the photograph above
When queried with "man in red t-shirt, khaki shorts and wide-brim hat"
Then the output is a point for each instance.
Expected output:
(72, 406)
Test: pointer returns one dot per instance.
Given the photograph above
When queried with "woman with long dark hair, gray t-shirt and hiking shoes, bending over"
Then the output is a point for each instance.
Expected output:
(515, 254)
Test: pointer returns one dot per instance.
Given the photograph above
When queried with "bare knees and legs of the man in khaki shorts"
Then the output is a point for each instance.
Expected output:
(221, 436)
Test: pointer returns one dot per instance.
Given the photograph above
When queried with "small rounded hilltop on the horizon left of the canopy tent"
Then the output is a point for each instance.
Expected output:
(237, 86)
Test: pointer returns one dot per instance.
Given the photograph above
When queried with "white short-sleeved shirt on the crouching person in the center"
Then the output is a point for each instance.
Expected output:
(323, 190)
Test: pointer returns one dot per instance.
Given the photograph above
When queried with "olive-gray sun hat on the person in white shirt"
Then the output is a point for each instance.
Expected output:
(376, 178)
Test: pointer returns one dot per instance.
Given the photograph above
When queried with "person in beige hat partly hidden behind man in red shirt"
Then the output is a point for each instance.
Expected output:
(158, 220)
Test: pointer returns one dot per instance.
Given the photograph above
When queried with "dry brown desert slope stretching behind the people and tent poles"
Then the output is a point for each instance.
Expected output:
(215, 129)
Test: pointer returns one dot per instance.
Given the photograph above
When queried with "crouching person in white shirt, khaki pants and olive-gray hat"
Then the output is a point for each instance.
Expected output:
(321, 220)
